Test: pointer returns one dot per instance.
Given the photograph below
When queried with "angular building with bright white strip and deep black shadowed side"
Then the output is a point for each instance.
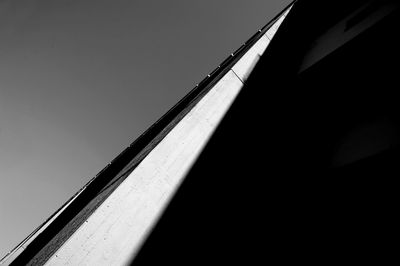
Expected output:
(283, 155)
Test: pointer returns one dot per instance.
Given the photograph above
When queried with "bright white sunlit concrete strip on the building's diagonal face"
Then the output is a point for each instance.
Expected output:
(116, 230)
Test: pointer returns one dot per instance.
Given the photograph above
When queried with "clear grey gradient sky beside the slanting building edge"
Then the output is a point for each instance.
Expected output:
(81, 79)
